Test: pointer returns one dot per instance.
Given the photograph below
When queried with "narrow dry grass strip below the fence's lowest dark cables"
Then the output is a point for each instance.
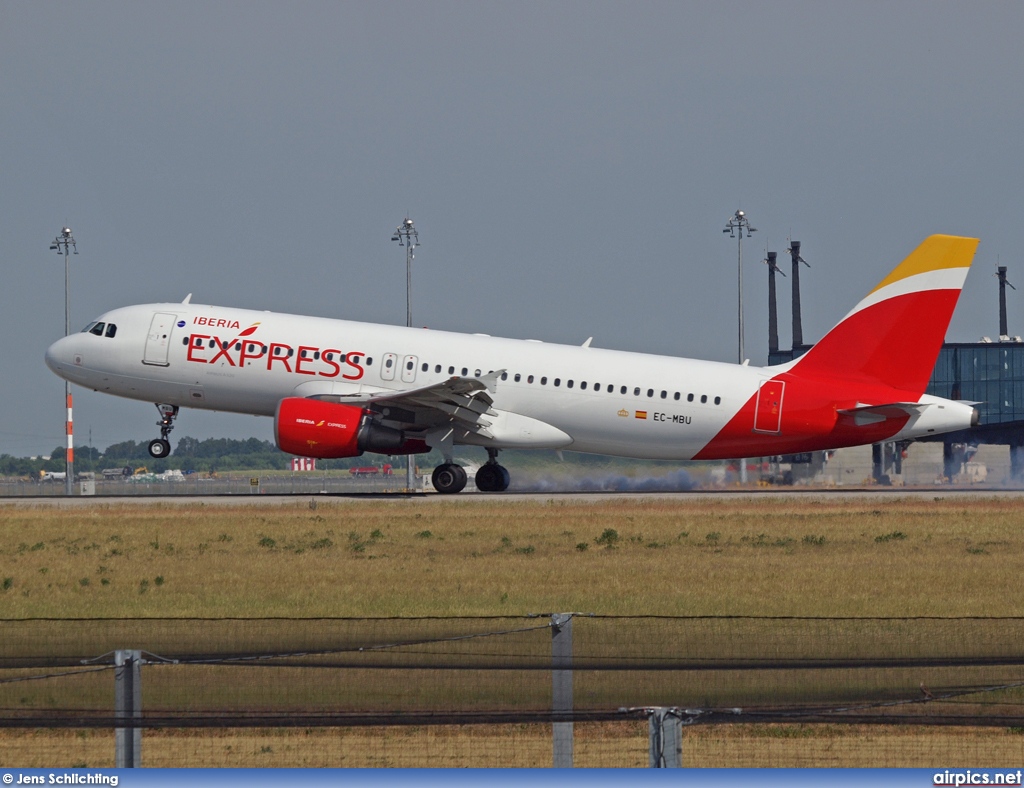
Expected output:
(605, 746)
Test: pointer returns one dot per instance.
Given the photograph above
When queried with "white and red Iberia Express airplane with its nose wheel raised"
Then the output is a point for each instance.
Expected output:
(338, 388)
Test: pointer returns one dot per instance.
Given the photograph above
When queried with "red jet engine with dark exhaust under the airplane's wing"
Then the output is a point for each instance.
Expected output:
(328, 430)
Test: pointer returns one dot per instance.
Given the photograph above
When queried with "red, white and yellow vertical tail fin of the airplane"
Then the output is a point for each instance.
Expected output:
(894, 335)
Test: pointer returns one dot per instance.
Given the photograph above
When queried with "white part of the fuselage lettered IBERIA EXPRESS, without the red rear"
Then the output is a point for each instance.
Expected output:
(682, 404)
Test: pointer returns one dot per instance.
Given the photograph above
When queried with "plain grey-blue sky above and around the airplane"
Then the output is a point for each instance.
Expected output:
(570, 167)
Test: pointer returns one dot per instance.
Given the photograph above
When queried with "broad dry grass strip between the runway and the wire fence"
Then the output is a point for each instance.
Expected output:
(675, 557)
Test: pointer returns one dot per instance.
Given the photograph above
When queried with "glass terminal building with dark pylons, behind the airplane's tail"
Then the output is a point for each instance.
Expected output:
(989, 373)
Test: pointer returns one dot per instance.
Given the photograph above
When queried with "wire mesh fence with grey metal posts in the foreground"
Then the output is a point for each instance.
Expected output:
(547, 690)
